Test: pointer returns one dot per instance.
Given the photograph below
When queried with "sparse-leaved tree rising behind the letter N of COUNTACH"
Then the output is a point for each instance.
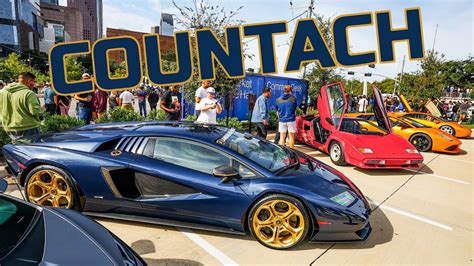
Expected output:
(206, 15)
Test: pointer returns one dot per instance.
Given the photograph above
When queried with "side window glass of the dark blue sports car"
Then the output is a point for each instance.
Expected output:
(191, 155)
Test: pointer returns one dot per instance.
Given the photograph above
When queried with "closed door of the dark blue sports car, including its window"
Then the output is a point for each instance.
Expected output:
(176, 182)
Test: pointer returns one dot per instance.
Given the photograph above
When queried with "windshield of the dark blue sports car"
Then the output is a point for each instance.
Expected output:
(262, 152)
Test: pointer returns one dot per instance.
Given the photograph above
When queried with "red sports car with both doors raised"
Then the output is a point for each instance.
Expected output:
(331, 132)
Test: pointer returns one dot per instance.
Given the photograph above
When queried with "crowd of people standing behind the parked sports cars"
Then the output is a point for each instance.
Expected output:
(21, 112)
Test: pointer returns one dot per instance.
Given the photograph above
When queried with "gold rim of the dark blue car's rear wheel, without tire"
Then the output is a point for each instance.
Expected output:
(49, 188)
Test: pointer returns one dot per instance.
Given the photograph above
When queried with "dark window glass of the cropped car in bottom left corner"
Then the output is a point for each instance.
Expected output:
(15, 219)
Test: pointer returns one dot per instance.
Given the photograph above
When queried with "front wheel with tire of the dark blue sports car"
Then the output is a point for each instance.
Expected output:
(279, 221)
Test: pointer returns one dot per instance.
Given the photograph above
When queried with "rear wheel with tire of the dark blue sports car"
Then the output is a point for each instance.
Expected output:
(50, 186)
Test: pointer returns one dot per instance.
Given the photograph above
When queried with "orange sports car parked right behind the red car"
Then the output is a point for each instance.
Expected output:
(424, 138)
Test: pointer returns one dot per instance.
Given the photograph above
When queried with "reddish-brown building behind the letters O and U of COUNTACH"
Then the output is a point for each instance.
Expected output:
(166, 42)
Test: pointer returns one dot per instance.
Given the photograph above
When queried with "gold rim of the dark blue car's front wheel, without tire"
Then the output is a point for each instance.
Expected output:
(278, 223)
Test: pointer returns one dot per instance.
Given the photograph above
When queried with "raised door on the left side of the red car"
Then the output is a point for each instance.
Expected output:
(332, 105)
